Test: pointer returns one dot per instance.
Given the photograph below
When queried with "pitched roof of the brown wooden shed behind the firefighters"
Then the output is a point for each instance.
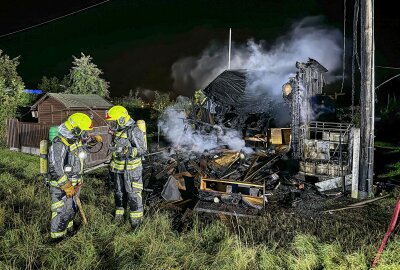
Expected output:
(77, 100)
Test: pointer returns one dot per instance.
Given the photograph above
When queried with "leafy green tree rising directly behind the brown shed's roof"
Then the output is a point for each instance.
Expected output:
(84, 78)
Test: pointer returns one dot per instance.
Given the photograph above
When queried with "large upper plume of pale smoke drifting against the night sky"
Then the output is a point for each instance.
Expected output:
(307, 39)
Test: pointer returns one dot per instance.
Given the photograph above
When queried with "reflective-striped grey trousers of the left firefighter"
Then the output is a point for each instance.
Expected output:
(63, 211)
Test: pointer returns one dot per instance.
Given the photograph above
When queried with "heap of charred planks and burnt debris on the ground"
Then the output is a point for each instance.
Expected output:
(225, 180)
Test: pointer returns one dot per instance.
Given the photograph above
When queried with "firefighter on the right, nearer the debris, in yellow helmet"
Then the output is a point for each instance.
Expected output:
(126, 165)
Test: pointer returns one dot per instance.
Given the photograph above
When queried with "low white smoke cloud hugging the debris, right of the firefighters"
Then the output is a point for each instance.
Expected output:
(180, 133)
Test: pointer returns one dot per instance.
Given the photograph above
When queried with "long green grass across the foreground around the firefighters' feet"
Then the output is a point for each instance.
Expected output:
(277, 240)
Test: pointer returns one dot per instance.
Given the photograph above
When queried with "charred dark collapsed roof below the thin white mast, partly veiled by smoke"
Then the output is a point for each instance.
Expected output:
(245, 99)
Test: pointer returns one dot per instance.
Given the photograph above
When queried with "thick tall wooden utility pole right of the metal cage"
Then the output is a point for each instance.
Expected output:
(367, 99)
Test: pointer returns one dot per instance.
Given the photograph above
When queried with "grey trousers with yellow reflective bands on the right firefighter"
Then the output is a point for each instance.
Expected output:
(128, 193)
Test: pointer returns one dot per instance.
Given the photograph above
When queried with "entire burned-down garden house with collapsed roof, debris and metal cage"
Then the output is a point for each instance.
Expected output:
(245, 144)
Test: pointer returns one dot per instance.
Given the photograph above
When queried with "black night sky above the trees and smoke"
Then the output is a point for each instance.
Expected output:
(136, 42)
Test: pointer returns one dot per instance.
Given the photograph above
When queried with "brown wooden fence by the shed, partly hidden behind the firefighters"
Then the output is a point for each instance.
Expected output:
(26, 137)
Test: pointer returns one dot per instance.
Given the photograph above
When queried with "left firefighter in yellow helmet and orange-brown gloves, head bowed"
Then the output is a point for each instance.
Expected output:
(66, 159)
